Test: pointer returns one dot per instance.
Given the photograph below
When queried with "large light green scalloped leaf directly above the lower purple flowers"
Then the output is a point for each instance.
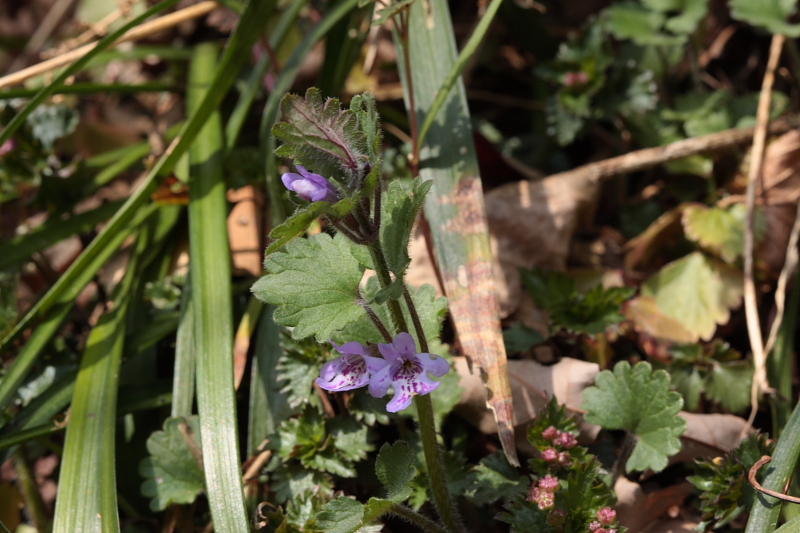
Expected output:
(314, 285)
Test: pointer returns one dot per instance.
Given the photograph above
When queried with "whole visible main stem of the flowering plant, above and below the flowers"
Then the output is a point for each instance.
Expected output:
(427, 426)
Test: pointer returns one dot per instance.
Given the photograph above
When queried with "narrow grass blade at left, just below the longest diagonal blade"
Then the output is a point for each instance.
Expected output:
(44, 332)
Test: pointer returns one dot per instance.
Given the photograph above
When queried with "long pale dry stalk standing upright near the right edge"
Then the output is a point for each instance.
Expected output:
(760, 382)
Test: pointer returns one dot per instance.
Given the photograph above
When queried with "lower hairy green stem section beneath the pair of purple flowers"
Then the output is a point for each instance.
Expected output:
(433, 460)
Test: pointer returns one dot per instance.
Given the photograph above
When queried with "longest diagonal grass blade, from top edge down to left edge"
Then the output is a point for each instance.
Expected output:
(233, 58)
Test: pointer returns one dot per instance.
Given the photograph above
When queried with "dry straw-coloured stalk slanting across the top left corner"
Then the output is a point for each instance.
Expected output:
(145, 30)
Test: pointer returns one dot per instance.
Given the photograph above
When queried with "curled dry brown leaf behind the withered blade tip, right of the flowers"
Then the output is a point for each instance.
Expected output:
(532, 385)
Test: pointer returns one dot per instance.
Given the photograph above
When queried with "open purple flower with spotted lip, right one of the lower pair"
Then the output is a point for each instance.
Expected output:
(406, 372)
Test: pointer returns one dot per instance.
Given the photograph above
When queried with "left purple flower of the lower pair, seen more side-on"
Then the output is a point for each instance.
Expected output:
(350, 370)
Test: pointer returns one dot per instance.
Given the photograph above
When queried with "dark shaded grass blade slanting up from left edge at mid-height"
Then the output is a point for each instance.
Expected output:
(52, 231)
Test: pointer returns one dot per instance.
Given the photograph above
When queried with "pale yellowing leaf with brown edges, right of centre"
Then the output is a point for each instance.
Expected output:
(696, 291)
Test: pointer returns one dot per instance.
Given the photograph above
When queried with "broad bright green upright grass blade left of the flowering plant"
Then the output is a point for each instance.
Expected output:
(211, 295)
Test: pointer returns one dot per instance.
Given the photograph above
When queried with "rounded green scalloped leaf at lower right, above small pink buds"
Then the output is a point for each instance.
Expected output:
(638, 400)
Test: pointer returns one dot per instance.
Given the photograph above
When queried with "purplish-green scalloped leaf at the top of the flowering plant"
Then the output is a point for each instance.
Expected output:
(321, 136)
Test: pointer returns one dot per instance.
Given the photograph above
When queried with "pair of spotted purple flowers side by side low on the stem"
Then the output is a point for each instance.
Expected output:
(401, 368)
